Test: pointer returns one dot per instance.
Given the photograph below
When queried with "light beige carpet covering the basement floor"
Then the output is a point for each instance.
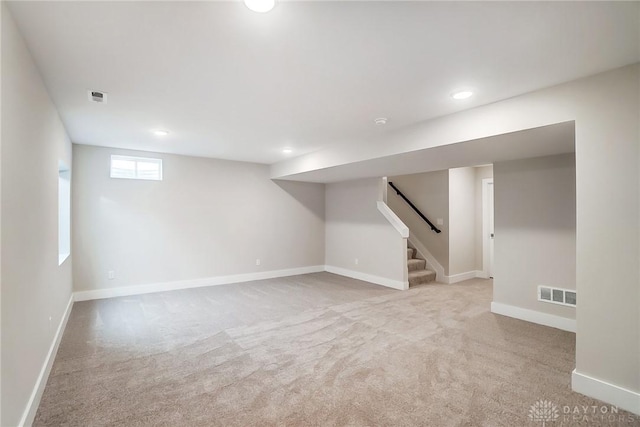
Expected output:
(313, 350)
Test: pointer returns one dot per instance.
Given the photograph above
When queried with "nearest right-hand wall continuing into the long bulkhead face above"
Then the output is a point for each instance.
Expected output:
(605, 109)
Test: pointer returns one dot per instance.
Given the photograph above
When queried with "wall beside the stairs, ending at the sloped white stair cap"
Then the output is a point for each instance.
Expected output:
(355, 229)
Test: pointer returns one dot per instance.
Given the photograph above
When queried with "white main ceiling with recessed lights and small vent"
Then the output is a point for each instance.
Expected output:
(230, 83)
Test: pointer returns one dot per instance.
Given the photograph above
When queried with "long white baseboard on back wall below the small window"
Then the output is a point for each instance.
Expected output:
(187, 284)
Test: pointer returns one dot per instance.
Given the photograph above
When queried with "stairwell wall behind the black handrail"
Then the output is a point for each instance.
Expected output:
(430, 193)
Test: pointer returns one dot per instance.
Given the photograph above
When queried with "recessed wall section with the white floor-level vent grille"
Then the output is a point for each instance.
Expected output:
(535, 227)
